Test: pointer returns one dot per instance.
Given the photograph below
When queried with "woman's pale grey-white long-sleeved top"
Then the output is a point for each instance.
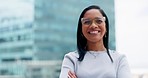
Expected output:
(96, 65)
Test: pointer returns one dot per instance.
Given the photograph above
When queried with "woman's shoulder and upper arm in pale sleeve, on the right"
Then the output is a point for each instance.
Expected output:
(121, 64)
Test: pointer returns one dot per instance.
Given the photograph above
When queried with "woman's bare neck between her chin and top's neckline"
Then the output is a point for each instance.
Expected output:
(96, 46)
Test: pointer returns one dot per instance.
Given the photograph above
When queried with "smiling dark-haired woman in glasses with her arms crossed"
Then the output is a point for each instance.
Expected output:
(93, 59)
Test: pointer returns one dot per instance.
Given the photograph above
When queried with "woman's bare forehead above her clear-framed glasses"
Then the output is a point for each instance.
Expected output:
(92, 13)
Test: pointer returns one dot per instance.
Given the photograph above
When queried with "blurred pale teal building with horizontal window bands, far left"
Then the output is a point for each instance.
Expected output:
(16, 39)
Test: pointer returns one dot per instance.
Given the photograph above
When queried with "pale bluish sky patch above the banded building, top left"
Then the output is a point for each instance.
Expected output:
(16, 8)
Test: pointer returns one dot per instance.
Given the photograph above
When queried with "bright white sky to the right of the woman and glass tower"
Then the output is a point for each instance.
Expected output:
(131, 27)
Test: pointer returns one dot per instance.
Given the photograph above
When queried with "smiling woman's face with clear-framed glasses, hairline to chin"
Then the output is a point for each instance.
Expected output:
(93, 25)
